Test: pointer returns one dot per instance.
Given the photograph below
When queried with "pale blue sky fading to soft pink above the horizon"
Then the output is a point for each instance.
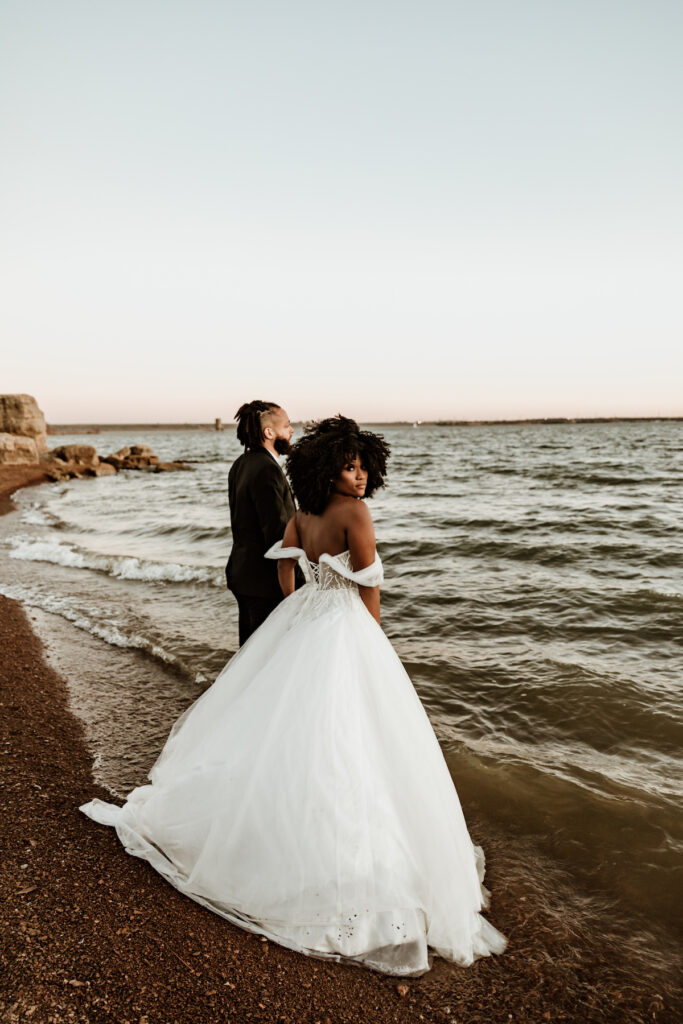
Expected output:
(398, 210)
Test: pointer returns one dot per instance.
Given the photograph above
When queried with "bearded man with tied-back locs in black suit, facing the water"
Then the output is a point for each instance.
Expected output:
(262, 505)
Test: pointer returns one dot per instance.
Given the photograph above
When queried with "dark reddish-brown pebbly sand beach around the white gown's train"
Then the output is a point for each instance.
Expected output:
(90, 934)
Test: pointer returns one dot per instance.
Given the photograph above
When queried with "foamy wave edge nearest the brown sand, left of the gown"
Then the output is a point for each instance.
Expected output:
(87, 619)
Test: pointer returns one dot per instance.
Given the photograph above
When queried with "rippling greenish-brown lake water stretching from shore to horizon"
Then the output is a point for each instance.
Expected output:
(534, 591)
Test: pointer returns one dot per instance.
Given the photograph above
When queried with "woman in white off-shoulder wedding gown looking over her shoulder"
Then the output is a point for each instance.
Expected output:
(305, 796)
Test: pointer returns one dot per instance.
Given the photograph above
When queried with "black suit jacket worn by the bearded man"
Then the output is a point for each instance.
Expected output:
(262, 505)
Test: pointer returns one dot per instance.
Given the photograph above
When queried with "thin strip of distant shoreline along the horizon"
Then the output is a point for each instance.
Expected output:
(97, 429)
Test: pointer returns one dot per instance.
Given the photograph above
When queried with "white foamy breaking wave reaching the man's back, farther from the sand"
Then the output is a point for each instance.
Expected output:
(121, 567)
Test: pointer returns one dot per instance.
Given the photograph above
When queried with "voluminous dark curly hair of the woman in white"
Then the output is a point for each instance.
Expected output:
(318, 459)
